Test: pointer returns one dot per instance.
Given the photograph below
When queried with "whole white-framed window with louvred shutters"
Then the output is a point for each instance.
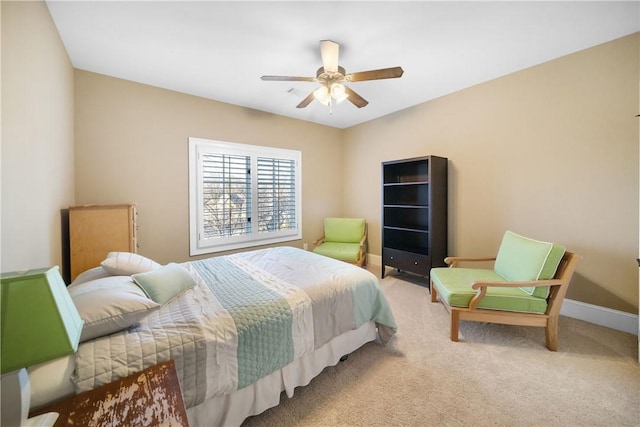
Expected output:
(242, 195)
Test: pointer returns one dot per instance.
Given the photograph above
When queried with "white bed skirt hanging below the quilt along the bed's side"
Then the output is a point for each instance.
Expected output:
(232, 409)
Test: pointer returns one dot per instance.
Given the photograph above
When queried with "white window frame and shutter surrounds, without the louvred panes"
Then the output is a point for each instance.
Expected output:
(198, 245)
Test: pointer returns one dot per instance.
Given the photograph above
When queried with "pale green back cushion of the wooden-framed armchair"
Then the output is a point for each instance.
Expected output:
(522, 259)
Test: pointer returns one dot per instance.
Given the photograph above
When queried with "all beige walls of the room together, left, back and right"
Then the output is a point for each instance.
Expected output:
(550, 152)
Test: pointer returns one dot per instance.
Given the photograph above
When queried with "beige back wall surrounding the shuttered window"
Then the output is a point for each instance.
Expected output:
(132, 146)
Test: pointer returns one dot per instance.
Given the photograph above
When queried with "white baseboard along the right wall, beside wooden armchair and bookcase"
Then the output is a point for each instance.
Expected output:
(603, 316)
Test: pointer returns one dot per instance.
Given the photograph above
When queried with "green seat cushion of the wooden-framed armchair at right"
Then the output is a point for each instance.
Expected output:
(454, 286)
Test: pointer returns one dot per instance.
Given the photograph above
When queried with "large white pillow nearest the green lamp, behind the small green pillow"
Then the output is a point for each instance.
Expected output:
(109, 305)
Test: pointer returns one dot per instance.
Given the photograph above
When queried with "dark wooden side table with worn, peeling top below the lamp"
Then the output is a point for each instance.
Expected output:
(149, 398)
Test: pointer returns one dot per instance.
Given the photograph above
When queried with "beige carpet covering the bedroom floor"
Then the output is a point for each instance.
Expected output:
(496, 375)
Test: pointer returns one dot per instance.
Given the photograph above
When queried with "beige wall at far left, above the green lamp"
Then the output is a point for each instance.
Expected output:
(37, 136)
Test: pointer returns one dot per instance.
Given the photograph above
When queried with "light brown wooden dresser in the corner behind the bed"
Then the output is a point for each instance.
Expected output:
(96, 230)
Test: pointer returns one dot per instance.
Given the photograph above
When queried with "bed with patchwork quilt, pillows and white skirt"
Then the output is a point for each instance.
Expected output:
(241, 328)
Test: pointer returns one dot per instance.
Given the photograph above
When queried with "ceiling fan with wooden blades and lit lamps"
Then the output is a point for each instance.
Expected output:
(332, 77)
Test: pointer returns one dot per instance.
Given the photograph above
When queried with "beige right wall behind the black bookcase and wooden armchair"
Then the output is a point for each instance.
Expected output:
(550, 152)
